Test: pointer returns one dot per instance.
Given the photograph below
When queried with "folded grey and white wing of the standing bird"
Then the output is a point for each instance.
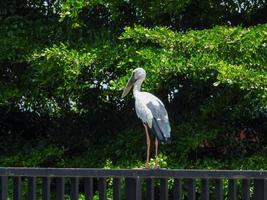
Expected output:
(160, 122)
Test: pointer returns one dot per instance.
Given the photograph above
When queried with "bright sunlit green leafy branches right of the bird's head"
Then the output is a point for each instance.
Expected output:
(225, 52)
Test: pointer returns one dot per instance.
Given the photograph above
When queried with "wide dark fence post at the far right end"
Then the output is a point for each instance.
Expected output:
(260, 189)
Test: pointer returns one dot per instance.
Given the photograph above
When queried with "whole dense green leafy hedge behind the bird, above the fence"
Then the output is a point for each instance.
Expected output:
(61, 82)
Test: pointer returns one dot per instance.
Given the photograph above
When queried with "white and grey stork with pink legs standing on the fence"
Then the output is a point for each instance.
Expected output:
(152, 113)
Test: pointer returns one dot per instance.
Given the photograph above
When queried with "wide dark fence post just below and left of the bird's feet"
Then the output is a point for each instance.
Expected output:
(133, 188)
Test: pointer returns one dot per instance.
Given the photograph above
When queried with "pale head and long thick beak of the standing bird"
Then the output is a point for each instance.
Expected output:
(137, 74)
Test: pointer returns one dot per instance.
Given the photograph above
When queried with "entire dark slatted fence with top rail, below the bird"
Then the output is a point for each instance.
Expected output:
(163, 184)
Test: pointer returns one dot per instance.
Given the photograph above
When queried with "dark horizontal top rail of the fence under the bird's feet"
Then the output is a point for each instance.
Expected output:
(157, 173)
